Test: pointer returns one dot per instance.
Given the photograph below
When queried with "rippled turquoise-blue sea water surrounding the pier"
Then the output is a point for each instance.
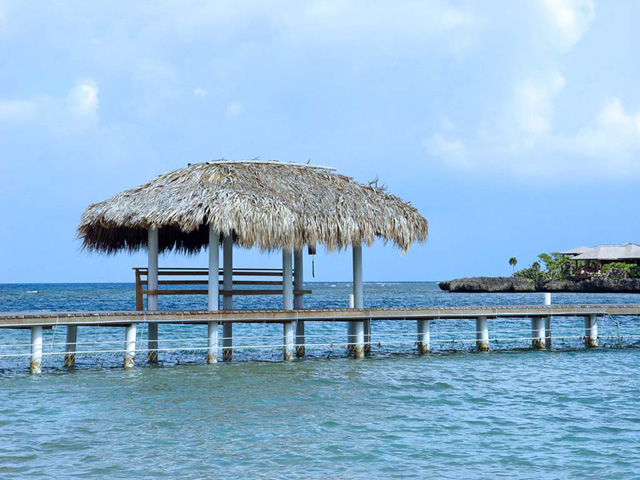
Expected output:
(514, 413)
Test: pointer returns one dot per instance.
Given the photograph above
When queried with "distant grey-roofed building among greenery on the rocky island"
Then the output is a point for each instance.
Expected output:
(589, 261)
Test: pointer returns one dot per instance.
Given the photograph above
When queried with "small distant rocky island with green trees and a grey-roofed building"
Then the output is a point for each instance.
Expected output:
(600, 269)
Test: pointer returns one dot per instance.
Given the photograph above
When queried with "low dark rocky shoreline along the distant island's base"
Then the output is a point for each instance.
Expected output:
(521, 285)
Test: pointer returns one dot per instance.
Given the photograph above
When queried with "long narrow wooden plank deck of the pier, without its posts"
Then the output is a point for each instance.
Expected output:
(121, 318)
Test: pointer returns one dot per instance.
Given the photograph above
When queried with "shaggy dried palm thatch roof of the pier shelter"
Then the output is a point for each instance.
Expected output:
(268, 205)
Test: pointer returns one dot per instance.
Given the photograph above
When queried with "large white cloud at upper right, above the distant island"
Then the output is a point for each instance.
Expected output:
(520, 136)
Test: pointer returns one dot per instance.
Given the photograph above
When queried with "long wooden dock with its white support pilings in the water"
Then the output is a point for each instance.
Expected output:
(358, 339)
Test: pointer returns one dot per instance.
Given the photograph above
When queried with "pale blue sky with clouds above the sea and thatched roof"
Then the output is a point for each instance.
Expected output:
(514, 127)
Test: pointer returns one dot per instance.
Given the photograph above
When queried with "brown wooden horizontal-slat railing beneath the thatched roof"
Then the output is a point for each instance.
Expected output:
(182, 277)
